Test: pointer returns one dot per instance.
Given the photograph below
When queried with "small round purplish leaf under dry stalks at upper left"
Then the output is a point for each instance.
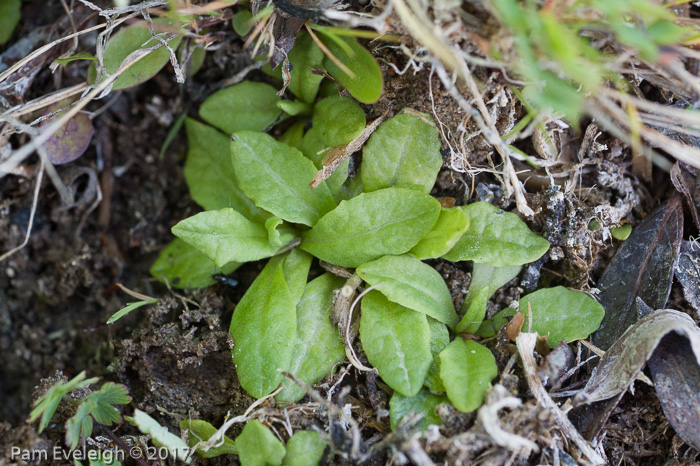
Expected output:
(71, 140)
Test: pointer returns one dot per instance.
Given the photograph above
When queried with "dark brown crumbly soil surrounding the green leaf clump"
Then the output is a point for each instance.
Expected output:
(57, 293)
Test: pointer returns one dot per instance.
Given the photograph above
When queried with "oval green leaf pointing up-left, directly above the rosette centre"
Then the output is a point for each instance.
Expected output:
(277, 178)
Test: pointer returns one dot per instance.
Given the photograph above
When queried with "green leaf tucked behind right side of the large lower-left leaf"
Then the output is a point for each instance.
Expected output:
(318, 346)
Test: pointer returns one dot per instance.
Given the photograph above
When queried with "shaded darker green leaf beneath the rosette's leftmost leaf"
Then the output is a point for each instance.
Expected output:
(185, 267)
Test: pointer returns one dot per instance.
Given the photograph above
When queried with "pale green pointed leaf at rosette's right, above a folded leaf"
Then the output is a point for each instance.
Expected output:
(497, 238)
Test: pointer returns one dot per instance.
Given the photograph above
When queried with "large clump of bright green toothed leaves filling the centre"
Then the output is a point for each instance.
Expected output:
(382, 222)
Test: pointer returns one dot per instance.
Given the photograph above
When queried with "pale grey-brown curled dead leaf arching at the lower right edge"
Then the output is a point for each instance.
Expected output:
(628, 356)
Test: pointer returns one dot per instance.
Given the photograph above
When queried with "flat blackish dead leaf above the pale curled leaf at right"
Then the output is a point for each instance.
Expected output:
(643, 267)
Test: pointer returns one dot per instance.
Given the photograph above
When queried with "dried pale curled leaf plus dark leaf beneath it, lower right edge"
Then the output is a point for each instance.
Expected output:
(677, 385)
